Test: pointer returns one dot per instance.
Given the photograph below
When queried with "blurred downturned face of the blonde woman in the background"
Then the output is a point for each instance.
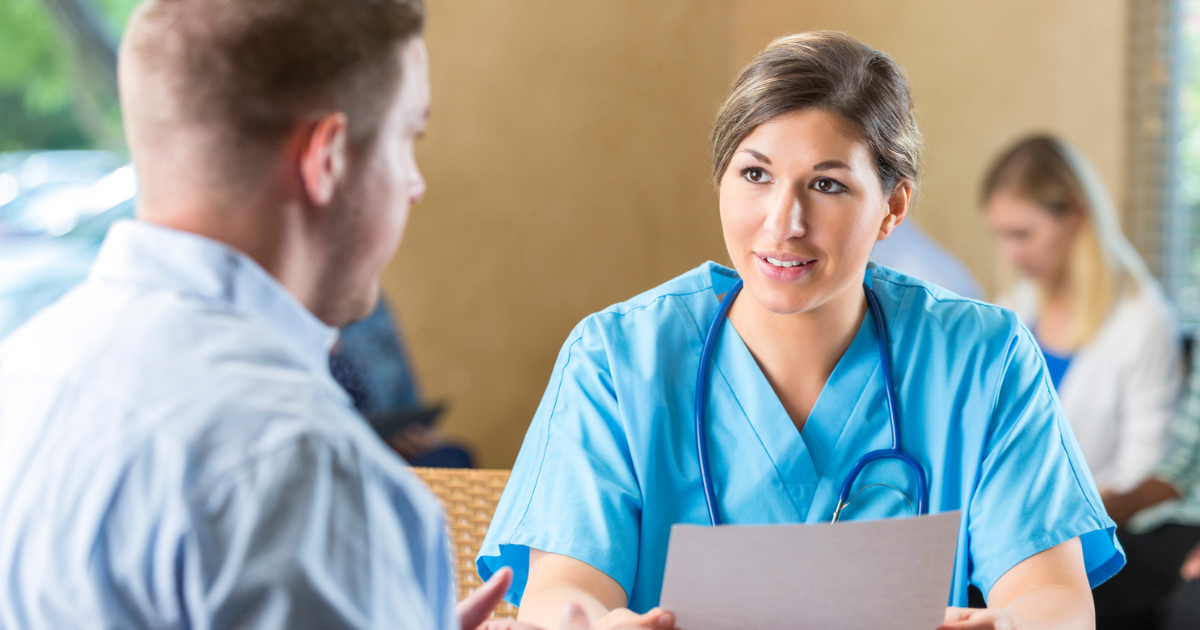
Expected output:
(1031, 239)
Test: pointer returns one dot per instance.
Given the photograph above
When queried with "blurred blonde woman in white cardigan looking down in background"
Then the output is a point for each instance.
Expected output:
(1099, 316)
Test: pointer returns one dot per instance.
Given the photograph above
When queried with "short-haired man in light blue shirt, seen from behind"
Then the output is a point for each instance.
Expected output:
(173, 451)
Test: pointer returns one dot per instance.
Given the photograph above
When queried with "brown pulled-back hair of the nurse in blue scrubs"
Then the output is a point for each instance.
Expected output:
(830, 71)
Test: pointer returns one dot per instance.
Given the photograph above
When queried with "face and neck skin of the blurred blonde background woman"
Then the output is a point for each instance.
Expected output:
(1039, 243)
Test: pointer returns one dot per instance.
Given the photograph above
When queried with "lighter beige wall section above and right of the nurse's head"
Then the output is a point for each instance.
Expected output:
(983, 74)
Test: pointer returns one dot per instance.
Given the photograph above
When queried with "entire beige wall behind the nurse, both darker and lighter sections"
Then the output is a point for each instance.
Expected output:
(567, 158)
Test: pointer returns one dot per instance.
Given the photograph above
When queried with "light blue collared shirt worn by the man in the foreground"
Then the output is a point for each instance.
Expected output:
(175, 454)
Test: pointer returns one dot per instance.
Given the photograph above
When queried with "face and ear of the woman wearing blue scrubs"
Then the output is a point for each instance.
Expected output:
(802, 207)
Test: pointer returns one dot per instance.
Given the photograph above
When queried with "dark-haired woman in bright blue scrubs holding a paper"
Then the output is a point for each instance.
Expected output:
(815, 157)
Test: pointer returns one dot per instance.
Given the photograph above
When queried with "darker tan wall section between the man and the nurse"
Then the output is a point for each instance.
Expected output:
(567, 171)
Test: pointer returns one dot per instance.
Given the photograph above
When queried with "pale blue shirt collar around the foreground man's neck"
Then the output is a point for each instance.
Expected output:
(157, 257)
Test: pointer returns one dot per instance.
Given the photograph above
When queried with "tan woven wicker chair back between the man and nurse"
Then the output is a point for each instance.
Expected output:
(470, 499)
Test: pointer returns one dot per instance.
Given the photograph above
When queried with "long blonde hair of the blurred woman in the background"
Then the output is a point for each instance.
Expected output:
(1103, 266)
